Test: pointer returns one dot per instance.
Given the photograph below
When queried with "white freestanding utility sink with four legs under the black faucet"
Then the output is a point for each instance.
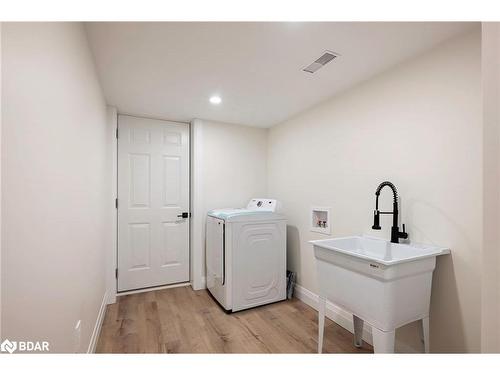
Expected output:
(385, 284)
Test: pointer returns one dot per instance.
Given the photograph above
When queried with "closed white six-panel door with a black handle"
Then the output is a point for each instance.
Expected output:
(153, 194)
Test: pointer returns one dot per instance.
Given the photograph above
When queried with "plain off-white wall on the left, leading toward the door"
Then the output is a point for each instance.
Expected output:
(55, 185)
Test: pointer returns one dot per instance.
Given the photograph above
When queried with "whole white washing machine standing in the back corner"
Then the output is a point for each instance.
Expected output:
(246, 255)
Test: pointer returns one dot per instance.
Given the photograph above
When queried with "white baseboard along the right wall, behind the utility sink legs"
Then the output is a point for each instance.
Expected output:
(344, 318)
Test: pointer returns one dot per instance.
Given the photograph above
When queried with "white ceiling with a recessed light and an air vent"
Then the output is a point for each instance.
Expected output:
(169, 70)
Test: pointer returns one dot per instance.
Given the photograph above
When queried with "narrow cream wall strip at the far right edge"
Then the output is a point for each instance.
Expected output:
(490, 338)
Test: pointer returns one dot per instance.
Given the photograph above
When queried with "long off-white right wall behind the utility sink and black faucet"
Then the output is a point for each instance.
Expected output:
(419, 126)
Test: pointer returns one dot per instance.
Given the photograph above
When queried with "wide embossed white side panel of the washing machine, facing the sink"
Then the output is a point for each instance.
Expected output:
(259, 263)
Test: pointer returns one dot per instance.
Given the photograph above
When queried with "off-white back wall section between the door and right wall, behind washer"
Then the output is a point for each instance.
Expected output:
(228, 167)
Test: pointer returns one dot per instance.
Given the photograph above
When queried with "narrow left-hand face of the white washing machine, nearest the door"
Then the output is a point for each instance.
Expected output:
(216, 272)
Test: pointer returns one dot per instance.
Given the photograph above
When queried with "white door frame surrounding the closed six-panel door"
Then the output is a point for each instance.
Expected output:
(112, 256)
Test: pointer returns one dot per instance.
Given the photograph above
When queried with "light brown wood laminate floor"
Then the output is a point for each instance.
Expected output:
(180, 320)
